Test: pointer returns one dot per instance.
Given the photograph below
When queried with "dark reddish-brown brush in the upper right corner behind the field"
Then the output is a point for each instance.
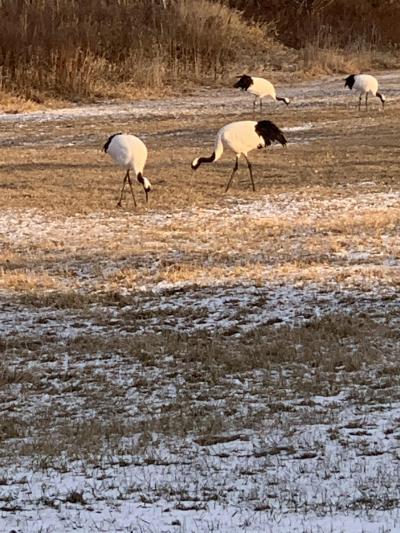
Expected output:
(333, 35)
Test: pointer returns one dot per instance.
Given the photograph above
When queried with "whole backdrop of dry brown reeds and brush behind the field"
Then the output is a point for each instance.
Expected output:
(68, 50)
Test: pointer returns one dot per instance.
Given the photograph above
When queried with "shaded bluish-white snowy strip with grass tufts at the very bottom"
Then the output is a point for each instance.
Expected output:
(241, 485)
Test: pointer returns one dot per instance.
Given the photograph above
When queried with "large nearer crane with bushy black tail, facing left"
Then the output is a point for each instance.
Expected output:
(242, 137)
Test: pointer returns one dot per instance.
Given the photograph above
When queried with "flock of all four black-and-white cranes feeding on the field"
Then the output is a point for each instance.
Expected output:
(241, 137)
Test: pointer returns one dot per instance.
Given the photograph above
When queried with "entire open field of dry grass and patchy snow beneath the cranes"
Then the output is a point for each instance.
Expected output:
(209, 362)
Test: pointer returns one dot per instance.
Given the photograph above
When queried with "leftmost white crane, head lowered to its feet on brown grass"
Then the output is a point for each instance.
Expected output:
(130, 153)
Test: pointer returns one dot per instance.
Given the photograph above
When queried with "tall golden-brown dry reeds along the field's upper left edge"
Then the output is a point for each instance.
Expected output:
(76, 48)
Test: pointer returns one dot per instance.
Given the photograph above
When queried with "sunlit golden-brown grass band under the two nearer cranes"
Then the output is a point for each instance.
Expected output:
(64, 184)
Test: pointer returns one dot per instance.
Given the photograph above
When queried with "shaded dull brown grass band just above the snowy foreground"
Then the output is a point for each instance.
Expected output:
(321, 357)
